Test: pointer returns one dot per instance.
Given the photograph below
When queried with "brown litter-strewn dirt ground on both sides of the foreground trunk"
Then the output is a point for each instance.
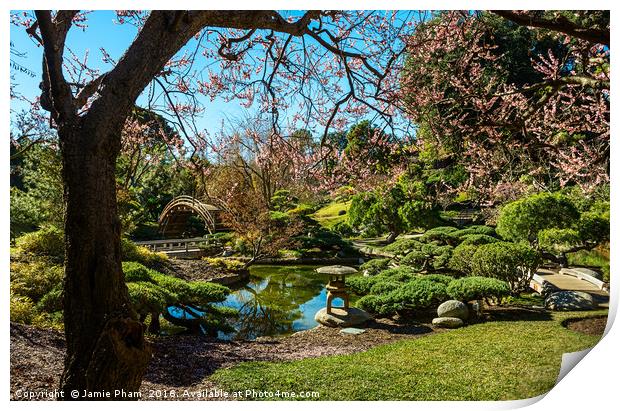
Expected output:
(185, 362)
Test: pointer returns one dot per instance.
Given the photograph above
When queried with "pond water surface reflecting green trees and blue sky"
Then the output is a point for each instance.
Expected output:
(277, 300)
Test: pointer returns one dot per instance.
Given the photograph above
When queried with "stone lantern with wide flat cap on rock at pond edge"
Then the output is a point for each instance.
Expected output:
(344, 316)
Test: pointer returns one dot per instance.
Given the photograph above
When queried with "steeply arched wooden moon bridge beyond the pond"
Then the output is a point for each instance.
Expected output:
(174, 219)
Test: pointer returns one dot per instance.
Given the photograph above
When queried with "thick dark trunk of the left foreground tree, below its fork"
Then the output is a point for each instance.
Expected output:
(105, 342)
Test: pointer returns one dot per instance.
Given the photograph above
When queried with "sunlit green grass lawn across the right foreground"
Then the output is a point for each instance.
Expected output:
(499, 360)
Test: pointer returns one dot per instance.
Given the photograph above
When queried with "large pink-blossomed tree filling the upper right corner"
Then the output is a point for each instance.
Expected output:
(551, 125)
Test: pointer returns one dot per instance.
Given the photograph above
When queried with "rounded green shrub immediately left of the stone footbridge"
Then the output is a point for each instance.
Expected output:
(514, 263)
